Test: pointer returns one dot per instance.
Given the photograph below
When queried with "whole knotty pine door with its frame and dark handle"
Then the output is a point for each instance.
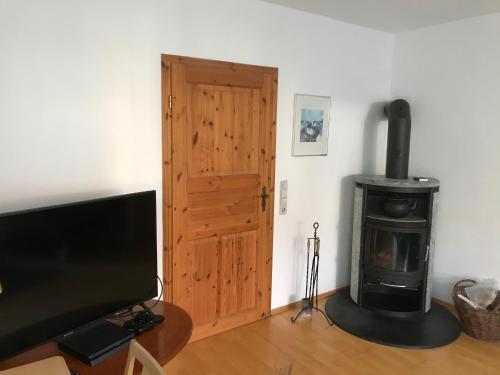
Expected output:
(219, 155)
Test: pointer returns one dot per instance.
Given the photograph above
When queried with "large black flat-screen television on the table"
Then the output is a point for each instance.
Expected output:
(64, 266)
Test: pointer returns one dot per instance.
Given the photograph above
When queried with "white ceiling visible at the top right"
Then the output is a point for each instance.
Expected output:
(395, 15)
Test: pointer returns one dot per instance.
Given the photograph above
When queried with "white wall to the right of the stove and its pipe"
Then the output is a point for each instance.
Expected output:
(451, 75)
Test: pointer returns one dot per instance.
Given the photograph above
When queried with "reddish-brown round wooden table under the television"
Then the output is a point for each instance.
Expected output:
(164, 342)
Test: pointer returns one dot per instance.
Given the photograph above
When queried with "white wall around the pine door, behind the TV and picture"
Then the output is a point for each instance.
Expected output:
(80, 106)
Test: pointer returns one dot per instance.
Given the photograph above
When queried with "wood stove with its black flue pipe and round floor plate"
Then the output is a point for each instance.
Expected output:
(389, 300)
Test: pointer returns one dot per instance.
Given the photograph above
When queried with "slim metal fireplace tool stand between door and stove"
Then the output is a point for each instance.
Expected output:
(310, 301)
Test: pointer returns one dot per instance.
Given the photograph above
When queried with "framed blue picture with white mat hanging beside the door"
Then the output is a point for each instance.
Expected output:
(310, 125)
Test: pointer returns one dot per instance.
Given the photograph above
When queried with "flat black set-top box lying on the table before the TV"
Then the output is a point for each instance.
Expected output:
(95, 342)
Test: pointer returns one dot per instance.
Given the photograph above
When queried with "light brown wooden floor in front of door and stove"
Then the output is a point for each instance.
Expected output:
(310, 346)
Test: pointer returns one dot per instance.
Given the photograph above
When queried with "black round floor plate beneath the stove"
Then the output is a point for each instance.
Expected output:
(439, 327)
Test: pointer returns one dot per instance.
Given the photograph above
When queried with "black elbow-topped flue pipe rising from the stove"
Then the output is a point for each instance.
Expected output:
(398, 139)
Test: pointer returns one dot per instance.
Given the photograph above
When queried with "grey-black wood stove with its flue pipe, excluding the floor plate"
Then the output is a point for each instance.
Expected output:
(393, 233)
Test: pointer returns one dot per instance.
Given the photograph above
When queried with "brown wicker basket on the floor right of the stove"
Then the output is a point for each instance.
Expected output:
(481, 324)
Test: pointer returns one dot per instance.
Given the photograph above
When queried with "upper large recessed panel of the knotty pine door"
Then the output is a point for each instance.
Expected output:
(224, 140)
